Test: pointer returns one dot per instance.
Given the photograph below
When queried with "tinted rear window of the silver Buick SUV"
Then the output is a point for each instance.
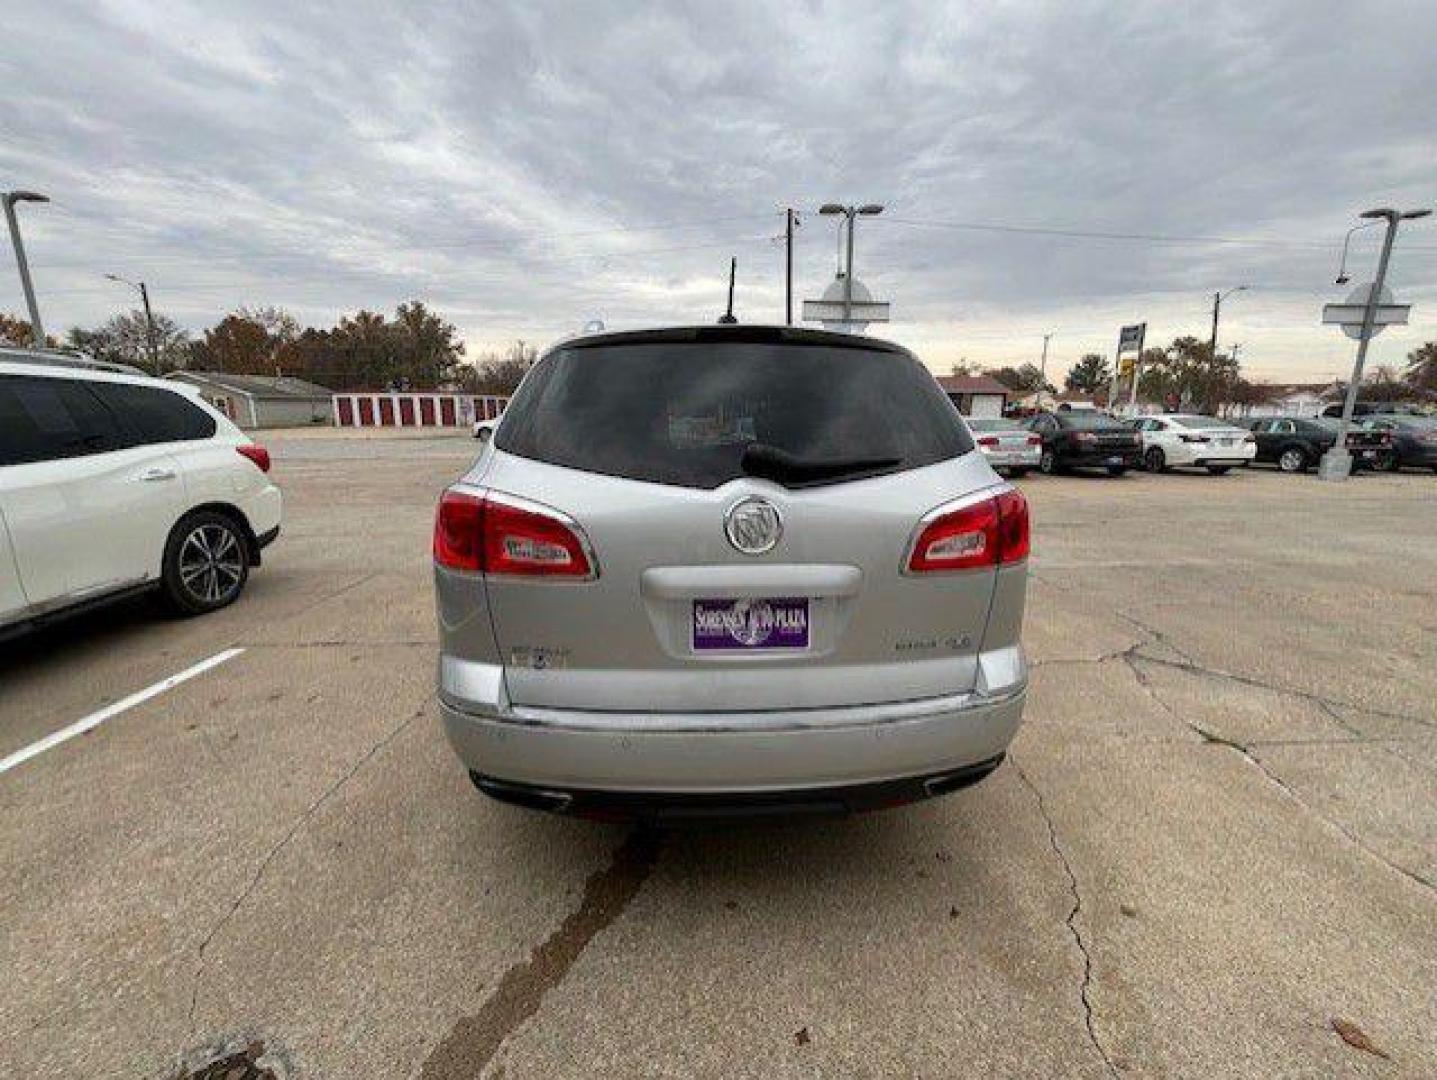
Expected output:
(701, 414)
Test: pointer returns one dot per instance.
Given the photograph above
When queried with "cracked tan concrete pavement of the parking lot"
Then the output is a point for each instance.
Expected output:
(1214, 845)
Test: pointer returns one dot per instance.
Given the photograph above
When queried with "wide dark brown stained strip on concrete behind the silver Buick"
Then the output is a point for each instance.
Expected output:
(475, 1041)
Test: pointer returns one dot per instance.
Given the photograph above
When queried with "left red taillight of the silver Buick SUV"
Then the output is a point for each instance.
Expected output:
(499, 535)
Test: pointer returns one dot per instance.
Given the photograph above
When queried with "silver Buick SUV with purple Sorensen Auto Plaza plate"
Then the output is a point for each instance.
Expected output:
(729, 571)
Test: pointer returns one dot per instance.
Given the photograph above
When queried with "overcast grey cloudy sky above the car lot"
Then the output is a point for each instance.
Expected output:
(527, 167)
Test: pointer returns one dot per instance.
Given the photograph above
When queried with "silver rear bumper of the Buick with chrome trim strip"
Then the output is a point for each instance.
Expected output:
(765, 753)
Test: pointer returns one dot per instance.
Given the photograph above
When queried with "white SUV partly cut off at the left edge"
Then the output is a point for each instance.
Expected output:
(114, 483)
